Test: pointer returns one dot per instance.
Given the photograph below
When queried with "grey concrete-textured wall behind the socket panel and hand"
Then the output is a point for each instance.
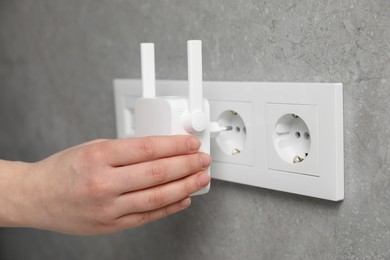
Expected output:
(57, 61)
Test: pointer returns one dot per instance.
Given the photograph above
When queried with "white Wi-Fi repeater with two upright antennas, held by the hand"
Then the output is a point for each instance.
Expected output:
(174, 115)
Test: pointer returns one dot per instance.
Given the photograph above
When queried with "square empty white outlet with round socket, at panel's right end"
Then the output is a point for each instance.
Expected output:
(292, 138)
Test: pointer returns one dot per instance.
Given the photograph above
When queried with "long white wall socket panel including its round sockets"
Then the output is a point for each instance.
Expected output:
(285, 136)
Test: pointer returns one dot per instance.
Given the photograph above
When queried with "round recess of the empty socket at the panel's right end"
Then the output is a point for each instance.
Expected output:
(287, 138)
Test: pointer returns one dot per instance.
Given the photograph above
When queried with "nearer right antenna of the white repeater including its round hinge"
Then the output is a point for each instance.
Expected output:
(196, 120)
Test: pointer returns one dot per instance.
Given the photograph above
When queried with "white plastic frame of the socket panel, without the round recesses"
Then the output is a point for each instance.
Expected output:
(324, 180)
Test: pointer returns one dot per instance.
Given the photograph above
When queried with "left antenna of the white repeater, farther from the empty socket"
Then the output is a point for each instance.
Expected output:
(148, 70)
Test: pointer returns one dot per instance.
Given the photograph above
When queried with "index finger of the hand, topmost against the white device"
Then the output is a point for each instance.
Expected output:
(127, 151)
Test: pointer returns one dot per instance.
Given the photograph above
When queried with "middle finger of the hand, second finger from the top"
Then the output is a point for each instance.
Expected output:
(144, 175)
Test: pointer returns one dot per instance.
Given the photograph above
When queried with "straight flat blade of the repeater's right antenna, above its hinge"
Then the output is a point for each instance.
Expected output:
(195, 88)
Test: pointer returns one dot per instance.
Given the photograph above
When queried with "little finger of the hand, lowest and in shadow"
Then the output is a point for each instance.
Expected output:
(138, 219)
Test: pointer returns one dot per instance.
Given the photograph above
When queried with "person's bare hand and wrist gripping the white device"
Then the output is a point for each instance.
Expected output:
(103, 186)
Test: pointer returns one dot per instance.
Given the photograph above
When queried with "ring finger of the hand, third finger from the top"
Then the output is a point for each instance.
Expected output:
(160, 196)
